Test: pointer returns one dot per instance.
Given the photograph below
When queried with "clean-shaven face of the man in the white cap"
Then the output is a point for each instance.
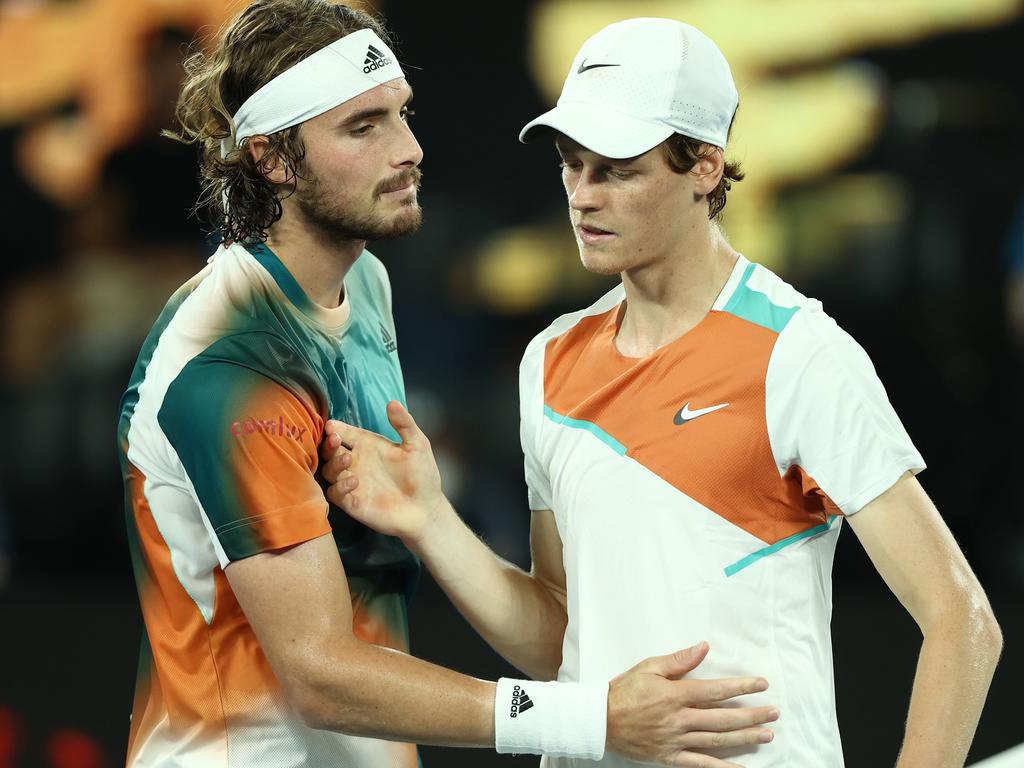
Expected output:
(626, 214)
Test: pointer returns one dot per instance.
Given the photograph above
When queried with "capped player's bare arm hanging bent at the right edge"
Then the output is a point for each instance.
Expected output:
(918, 558)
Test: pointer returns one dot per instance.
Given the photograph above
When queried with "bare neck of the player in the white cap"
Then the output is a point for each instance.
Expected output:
(668, 298)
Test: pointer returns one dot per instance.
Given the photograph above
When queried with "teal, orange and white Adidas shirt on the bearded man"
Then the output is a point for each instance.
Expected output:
(220, 434)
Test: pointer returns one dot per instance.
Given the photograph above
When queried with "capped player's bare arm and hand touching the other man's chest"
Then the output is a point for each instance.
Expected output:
(522, 616)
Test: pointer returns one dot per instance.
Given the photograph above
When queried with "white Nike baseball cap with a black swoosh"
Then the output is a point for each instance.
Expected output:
(636, 82)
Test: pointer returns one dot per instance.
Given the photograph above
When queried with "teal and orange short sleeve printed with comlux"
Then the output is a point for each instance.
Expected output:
(249, 448)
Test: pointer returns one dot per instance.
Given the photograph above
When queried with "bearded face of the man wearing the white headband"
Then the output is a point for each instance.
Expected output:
(362, 167)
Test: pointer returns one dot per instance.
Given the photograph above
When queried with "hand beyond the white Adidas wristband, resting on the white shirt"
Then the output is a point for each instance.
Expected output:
(656, 717)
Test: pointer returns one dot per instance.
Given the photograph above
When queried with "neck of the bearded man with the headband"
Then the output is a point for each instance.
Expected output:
(318, 263)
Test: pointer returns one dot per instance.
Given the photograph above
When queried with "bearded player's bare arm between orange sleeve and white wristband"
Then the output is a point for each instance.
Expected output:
(298, 605)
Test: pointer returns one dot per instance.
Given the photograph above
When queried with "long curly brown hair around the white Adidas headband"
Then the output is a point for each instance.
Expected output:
(269, 37)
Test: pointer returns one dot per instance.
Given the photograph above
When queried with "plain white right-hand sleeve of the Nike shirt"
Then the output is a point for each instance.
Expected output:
(829, 414)
